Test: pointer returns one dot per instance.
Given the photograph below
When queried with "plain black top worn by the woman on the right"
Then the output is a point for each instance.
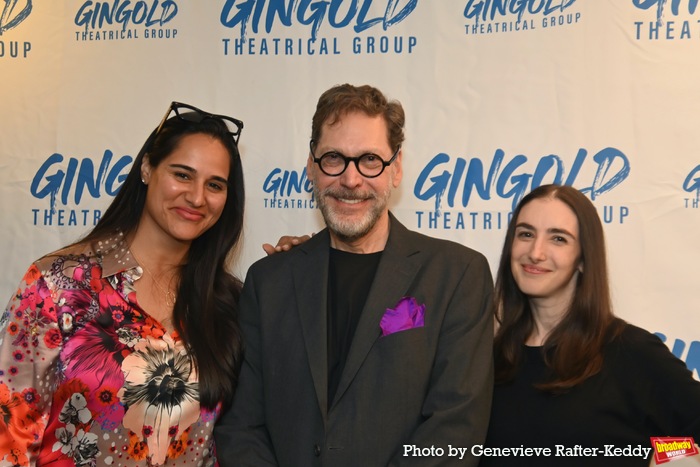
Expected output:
(642, 390)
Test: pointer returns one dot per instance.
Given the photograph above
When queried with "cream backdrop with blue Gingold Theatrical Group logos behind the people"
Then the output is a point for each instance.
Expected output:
(500, 95)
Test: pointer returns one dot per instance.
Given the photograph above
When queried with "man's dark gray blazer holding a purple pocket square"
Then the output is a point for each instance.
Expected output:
(425, 387)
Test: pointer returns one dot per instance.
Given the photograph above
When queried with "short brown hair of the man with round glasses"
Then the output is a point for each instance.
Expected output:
(344, 98)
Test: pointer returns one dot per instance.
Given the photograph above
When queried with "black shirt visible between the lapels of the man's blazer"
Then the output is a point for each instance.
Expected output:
(350, 277)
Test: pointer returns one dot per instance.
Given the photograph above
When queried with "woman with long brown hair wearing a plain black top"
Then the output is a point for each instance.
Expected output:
(570, 376)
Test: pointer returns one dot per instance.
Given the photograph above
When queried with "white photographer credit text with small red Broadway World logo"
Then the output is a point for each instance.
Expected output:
(661, 450)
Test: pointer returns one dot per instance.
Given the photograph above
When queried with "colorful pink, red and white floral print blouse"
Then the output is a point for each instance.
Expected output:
(89, 378)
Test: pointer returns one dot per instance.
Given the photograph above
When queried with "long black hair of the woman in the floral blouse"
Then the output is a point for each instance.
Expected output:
(205, 314)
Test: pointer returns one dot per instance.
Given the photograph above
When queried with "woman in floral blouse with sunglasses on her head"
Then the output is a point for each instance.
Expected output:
(123, 348)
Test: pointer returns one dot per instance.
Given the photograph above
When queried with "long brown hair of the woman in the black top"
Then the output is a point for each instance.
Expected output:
(573, 350)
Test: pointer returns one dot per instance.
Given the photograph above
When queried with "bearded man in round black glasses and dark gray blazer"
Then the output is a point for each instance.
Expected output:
(367, 345)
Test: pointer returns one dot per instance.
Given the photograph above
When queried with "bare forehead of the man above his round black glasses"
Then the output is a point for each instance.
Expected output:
(355, 131)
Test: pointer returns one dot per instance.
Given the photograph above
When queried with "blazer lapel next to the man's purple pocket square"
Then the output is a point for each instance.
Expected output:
(393, 278)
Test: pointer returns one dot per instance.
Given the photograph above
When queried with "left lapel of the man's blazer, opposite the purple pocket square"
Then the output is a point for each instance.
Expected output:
(311, 287)
